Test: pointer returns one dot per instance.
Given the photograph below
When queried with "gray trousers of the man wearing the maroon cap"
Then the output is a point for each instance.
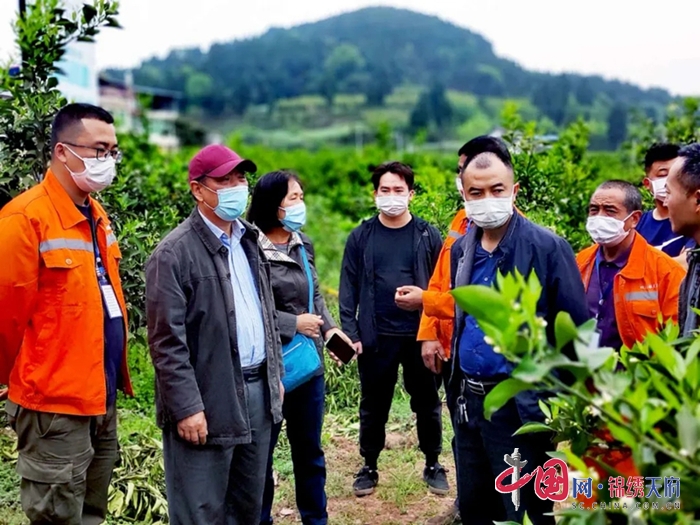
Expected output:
(215, 483)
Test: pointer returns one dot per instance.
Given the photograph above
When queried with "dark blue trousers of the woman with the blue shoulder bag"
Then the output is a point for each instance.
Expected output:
(303, 410)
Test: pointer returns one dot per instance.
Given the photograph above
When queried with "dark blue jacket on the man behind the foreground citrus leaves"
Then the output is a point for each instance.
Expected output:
(526, 247)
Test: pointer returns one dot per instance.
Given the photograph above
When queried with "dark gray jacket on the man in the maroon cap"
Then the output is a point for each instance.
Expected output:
(192, 331)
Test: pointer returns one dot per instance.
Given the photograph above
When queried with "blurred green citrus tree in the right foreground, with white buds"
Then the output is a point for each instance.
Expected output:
(644, 401)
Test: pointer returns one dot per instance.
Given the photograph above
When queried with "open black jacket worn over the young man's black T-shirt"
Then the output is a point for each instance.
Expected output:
(357, 275)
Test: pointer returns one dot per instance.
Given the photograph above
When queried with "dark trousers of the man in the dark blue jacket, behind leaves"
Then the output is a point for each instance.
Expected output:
(480, 448)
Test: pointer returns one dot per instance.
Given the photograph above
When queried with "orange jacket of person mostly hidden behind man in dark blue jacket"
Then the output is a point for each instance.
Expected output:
(437, 320)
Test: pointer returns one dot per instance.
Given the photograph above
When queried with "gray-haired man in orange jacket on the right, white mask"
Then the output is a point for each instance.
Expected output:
(629, 283)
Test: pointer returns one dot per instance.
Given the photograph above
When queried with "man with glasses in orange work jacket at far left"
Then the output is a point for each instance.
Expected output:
(63, 324)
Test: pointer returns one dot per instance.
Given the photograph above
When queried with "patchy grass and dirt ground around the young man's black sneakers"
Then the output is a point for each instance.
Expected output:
(401, 496)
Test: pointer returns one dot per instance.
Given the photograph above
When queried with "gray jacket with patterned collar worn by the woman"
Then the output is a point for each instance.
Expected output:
(290, 286)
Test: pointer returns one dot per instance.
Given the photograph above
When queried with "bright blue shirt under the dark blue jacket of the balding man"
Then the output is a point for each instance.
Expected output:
(476, 357)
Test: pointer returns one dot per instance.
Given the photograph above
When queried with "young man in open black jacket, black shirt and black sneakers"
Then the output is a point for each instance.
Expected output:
(382, 255)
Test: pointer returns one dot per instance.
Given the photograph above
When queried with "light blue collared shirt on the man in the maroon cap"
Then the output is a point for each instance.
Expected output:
(250, 330)
